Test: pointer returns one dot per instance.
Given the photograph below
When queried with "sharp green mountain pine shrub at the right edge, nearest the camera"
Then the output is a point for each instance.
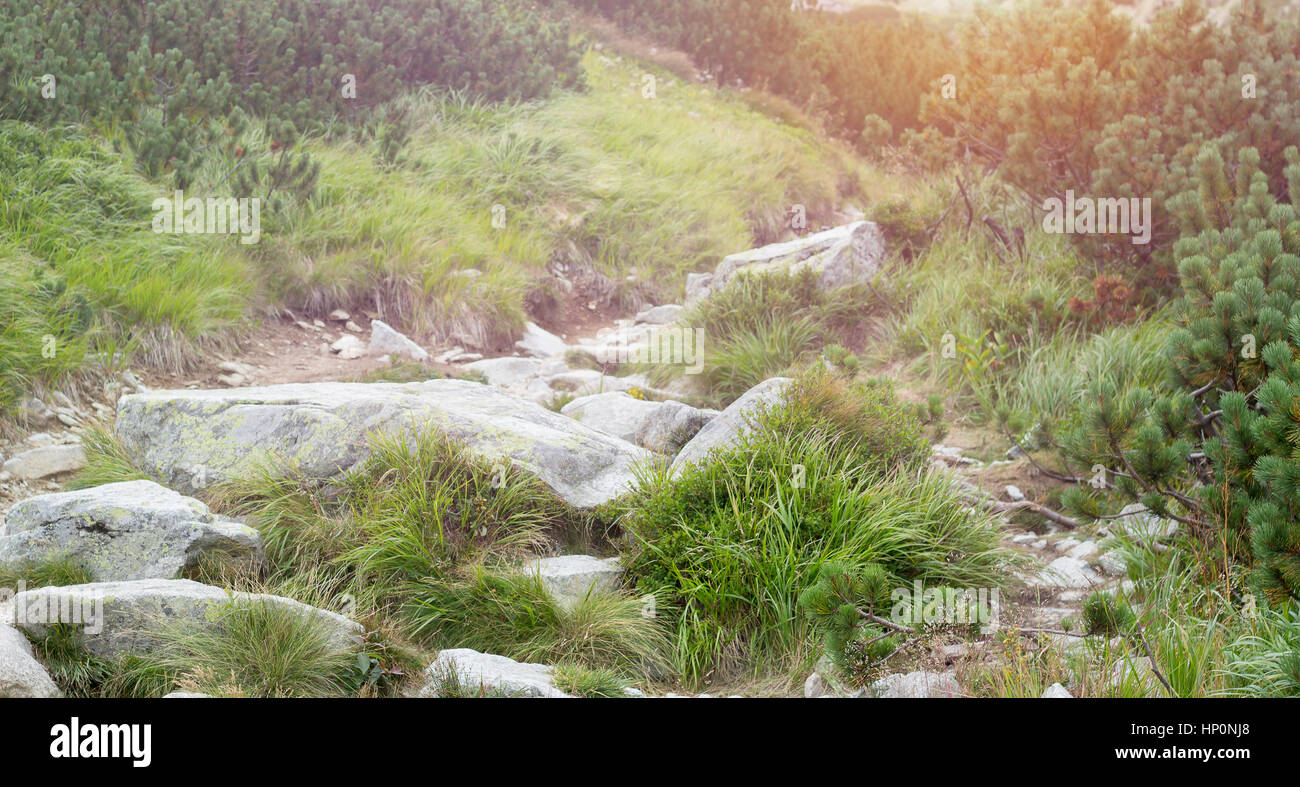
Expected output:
(1219, 449)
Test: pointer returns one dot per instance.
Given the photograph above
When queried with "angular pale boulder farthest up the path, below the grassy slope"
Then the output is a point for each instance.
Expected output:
(840, 257)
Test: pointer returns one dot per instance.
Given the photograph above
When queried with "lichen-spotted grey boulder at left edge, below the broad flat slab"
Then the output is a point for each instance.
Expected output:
(131, 530)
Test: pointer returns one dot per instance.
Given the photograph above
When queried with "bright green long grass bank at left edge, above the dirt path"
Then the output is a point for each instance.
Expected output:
(88, 282)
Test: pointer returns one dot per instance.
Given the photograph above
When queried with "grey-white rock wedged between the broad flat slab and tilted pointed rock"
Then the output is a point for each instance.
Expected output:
(661, 427)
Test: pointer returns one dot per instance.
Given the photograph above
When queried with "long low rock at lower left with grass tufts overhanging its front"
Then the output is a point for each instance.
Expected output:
(122, 617)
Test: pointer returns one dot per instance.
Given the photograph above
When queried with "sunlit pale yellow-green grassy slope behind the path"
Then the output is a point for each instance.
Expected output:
(591, 179)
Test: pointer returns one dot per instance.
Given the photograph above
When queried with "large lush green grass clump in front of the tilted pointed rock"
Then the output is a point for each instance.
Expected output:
(827, 477)
